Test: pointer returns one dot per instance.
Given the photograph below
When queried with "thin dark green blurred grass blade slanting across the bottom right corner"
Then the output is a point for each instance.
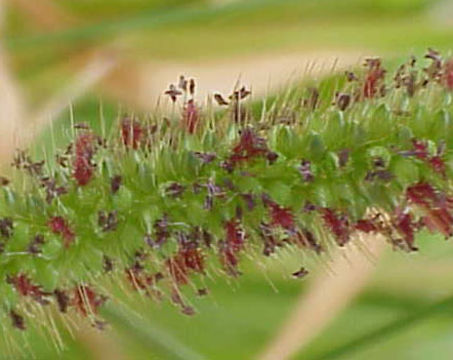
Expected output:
(381, 333)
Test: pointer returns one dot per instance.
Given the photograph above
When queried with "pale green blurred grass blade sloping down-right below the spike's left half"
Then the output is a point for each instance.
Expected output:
(148, 335)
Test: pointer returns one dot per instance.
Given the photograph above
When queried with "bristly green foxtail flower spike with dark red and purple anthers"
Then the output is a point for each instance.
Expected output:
(163, 201)
